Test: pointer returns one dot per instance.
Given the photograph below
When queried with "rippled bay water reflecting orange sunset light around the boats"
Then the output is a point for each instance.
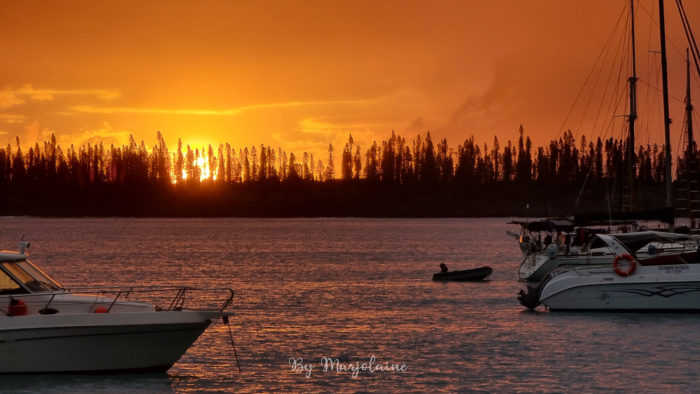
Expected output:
(354, 289)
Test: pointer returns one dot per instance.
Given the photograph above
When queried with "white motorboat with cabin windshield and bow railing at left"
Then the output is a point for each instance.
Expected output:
(45, 328)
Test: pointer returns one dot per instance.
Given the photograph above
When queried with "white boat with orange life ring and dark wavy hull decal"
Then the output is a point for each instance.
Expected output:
(666, 282)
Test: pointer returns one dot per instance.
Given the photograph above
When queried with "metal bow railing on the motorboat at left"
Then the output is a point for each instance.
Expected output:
(164, 298)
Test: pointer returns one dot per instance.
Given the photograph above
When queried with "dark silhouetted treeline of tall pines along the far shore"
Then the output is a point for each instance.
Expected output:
(393, 178)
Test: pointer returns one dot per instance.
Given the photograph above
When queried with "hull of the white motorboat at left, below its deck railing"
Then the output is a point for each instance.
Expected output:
(142, 342)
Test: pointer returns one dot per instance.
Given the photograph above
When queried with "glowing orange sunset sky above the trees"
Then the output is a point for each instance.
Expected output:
(301, 74)
